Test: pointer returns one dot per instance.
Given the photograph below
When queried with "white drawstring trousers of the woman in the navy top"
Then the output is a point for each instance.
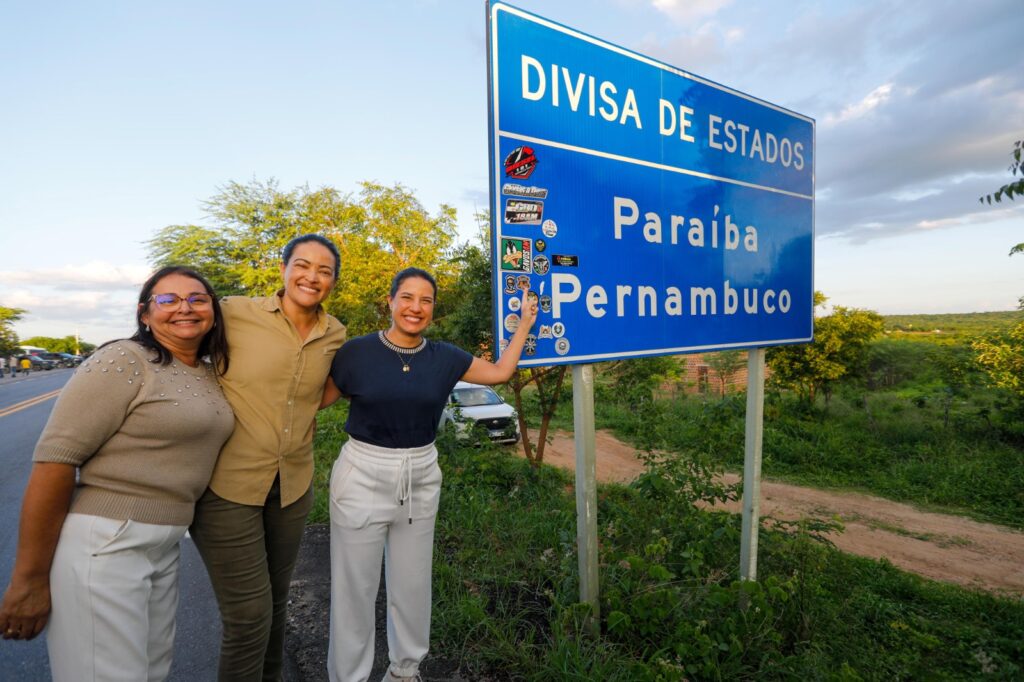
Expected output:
(382, 501)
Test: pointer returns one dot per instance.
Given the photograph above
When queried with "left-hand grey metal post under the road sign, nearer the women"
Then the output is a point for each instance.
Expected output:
(586, 485)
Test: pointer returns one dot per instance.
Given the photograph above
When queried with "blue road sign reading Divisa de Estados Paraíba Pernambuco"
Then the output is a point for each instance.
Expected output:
(653, 211)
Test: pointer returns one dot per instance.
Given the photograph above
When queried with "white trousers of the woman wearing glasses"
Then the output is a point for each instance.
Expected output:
(114, 588)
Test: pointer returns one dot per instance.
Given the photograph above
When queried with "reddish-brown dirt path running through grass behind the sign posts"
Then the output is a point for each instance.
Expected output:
(942, 547)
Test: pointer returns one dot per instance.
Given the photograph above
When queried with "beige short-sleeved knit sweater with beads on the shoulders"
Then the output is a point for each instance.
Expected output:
(145, 436)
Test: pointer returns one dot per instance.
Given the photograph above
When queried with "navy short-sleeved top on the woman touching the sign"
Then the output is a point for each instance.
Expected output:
(391, 408)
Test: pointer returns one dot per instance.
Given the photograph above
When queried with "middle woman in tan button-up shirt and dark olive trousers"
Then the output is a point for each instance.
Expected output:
(249, 524)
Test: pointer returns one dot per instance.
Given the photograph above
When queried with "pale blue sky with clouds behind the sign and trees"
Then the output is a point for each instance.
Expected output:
(120, 118)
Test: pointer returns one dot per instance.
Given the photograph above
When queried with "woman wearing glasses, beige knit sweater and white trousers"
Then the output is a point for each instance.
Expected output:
(140, 425)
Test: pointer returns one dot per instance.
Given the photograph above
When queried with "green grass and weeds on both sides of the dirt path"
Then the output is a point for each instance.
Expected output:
(672, 608)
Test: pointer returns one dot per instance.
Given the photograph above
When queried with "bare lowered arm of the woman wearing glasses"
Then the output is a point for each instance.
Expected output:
(26, 606)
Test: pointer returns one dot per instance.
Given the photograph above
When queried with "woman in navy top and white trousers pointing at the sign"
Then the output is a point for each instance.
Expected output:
(386, 485)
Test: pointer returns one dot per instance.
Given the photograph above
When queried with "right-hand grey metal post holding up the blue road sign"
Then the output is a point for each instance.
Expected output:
(752, 464)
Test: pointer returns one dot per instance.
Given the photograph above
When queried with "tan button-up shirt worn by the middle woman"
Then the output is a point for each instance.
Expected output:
(275, 385)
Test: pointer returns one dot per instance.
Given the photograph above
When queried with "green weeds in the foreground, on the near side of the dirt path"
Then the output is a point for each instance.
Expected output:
(672, 609)
